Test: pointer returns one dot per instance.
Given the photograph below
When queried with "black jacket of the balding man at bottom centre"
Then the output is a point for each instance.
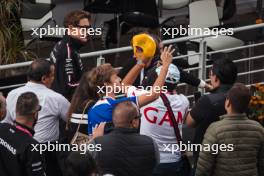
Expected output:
(126, 153)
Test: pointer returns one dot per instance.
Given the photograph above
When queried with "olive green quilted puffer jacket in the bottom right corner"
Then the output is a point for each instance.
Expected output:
(241, 148)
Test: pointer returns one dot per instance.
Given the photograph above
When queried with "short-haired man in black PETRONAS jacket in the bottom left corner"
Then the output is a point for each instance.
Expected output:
(17, 155)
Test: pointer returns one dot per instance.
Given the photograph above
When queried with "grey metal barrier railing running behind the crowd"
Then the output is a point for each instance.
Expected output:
(202, 54)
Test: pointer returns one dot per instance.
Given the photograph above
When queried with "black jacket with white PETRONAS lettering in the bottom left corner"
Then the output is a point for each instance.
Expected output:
(17, 157)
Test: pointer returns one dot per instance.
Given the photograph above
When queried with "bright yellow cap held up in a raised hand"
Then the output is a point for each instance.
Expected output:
(146, 43)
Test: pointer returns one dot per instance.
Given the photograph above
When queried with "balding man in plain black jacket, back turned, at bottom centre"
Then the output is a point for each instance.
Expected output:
(124, 151)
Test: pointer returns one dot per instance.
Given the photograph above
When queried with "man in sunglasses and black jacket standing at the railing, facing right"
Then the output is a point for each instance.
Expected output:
(65, 54)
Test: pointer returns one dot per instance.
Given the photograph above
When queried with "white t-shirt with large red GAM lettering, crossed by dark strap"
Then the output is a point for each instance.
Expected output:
(155, 122)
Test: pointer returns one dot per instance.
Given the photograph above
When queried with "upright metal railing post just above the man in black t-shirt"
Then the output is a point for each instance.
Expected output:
(202, 61)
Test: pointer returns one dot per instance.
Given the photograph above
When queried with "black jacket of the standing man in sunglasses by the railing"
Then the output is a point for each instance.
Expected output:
(68, 66)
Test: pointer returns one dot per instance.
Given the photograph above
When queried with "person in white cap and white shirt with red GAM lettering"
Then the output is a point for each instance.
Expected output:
(156, 122)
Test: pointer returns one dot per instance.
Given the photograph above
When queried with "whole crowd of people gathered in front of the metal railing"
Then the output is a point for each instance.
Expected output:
(137, 132)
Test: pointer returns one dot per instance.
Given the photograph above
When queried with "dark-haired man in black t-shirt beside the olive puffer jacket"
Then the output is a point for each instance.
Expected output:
(209, 107)
